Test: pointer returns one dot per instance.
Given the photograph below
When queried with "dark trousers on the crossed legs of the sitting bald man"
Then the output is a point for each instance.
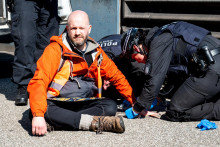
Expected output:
(68, 114)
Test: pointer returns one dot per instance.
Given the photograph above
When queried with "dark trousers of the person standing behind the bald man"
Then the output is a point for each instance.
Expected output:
(33, 23)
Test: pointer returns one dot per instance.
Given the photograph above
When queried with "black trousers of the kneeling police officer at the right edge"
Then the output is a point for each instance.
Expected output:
(199, 98)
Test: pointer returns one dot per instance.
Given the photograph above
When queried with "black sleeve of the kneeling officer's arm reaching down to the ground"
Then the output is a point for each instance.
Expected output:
(160, 55)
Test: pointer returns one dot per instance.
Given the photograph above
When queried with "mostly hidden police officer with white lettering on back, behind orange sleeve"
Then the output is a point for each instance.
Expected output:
(132, 70)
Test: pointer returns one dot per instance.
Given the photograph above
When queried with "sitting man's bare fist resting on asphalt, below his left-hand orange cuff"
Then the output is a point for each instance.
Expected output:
(39, 126)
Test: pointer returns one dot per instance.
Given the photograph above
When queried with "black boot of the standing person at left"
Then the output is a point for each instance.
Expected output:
(22, 96)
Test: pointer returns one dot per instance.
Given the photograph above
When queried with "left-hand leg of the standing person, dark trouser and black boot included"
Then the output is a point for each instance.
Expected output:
(24, 19)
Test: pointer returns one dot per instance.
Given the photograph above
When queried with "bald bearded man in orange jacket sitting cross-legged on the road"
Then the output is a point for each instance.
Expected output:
(63, 91)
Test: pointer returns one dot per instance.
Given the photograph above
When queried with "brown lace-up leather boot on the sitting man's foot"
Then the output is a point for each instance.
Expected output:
(108, 124)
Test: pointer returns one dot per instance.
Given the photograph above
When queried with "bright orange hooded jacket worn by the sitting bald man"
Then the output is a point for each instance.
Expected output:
(49, 63)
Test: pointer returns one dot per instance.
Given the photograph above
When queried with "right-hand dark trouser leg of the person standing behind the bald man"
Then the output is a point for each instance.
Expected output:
(48, 26)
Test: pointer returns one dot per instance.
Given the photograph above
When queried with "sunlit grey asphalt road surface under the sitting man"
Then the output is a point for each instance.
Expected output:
(15, 127)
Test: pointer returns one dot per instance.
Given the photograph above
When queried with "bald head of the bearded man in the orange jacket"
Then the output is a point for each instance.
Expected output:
(78, 28)
